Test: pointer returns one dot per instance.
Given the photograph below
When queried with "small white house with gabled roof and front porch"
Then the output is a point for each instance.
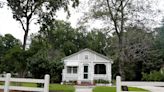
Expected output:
(86, 66)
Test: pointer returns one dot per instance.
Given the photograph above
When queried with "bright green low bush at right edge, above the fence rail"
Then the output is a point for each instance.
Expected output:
(153, 76)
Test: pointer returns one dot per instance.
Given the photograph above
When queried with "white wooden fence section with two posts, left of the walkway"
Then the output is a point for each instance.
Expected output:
(6, 87)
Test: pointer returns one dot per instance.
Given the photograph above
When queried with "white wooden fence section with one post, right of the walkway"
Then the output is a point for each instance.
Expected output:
(119, 83)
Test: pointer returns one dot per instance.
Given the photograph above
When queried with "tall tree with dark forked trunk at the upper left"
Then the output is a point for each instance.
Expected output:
(24, 11)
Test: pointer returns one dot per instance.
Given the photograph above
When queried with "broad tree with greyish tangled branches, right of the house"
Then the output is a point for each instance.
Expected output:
(140, 51)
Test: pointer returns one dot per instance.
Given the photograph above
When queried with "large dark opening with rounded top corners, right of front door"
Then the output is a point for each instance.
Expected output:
(100, 69)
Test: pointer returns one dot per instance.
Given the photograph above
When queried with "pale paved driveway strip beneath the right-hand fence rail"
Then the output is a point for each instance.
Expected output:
(152, 89)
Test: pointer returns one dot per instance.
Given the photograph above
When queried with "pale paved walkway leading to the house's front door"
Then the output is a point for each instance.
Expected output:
(83, 88)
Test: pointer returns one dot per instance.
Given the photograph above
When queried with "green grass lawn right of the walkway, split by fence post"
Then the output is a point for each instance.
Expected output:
(113, 89)
